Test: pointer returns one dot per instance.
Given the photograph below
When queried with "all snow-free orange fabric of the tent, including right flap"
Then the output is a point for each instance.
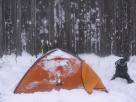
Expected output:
(85, 76)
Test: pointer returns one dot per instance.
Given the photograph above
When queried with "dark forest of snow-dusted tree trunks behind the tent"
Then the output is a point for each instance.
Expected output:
(102, 27)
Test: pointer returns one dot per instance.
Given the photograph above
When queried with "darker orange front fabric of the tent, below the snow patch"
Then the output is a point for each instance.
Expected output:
(39, 79)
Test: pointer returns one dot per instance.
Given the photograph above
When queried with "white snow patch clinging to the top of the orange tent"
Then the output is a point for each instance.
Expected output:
(62, 59)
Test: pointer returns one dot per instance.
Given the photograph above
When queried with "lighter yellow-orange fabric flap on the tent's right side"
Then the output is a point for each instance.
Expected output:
(90, 79)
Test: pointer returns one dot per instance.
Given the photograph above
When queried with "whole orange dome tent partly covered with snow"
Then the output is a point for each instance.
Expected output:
(59, 70)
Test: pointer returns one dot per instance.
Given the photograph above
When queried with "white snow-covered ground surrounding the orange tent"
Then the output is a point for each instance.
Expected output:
(12, 69)
